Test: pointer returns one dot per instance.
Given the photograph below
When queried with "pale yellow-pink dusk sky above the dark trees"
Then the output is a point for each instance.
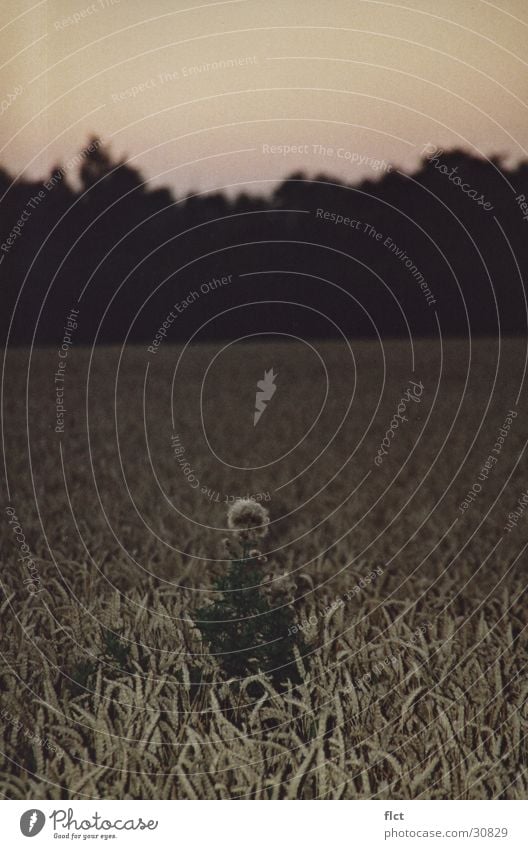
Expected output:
(238, 94)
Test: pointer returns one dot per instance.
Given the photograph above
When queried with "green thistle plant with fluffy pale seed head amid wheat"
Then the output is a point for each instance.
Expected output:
(245, 633)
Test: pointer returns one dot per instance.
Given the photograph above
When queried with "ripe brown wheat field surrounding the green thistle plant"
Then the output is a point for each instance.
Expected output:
(414, 608)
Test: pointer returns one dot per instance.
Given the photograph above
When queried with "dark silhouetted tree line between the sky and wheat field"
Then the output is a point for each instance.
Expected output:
(133, 252)
